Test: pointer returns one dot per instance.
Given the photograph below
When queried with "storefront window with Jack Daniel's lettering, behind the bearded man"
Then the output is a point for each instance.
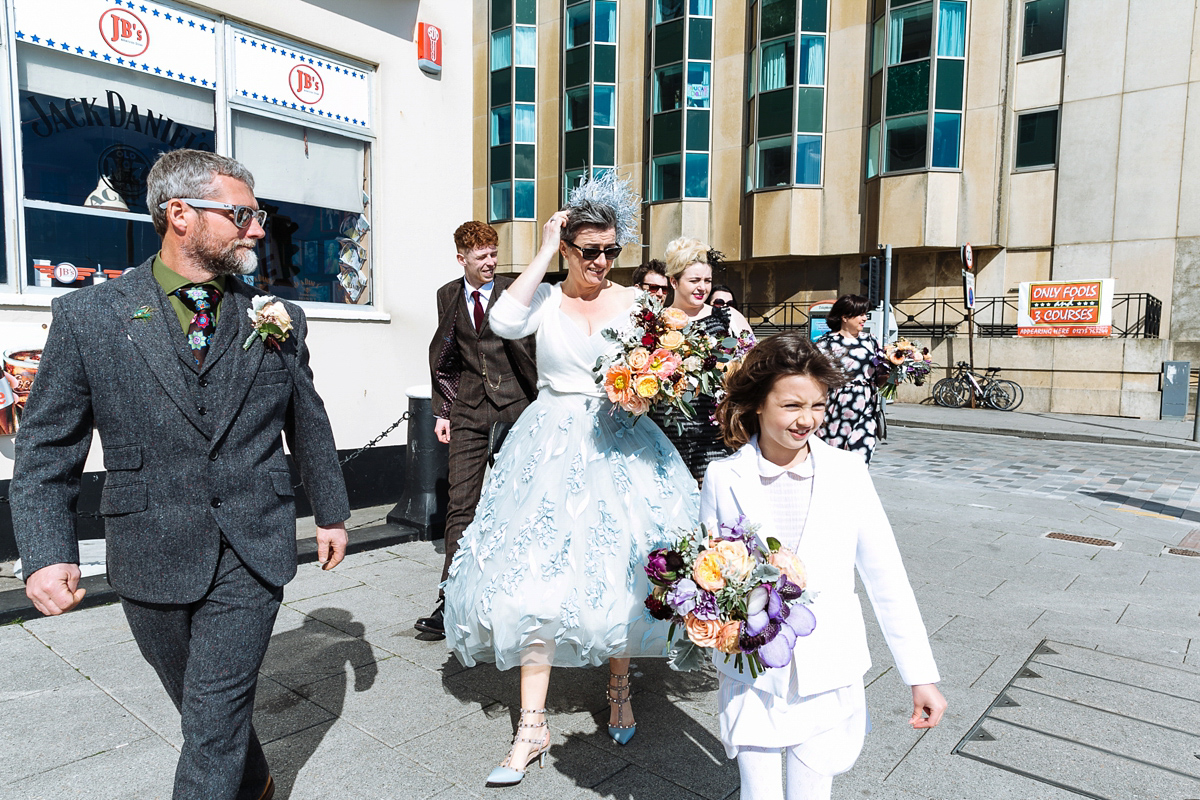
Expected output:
(88, 141)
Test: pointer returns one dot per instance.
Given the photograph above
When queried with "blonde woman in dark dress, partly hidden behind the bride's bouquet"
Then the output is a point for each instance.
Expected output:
(691, 273)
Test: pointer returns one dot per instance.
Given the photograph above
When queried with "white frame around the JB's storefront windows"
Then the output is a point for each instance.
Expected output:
(20, 292)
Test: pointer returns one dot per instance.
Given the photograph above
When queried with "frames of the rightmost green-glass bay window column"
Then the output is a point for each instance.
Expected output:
(932, 110)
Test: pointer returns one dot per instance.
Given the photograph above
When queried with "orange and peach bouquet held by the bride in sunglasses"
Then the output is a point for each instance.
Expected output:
(662, 359)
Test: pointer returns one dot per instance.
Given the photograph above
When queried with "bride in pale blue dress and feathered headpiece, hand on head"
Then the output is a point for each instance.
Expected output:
(550, 573)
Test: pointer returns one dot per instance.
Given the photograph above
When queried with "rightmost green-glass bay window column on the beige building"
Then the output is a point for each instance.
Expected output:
(917, 91)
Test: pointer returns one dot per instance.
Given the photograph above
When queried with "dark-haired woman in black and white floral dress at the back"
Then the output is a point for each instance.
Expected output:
(850, 420)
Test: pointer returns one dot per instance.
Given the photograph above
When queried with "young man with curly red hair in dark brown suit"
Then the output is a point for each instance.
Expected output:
(479, 380)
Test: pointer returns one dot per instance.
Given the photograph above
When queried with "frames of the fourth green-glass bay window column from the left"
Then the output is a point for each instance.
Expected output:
(755, 94)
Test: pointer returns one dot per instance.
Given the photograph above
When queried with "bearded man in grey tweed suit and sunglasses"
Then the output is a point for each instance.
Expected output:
(199, 506)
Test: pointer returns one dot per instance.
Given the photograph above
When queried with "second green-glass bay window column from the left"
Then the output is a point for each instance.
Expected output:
(590, 103)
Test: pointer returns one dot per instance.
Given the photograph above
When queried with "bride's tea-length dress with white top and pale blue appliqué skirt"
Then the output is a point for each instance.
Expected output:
(550, 572)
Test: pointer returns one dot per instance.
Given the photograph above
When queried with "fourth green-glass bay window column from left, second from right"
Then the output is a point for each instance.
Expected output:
(790, 105)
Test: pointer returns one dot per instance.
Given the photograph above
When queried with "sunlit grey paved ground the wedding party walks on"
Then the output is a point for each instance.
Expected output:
(355, 703)
